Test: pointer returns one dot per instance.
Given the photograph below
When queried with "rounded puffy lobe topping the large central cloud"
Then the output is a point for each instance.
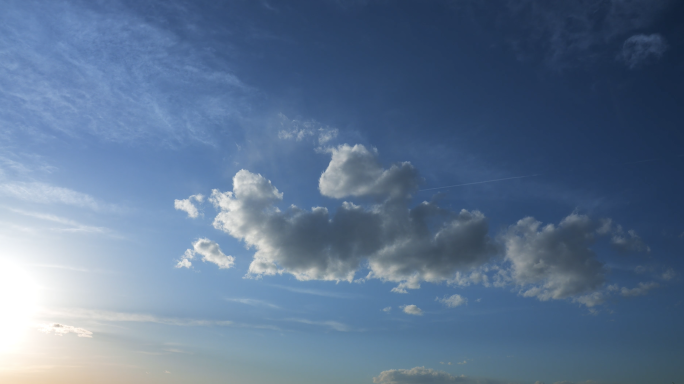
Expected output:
(355, 171)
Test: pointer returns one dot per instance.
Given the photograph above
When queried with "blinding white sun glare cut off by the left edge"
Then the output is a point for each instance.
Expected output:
(17, 304)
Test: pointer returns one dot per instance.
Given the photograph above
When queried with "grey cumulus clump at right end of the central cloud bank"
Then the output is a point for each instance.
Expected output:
(553, 262)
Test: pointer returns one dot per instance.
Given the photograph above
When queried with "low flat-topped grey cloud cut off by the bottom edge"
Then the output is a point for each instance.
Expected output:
(422, 375)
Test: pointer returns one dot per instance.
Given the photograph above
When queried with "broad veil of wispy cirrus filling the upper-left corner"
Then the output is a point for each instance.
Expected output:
(107, 59)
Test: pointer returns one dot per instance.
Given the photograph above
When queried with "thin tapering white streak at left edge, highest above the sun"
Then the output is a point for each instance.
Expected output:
(42, 193)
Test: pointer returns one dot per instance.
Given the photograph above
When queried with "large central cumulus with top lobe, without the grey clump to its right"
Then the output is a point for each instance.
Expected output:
(400, 244)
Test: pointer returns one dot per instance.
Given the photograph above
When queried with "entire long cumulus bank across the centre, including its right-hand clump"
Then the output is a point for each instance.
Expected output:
(408, 245)
